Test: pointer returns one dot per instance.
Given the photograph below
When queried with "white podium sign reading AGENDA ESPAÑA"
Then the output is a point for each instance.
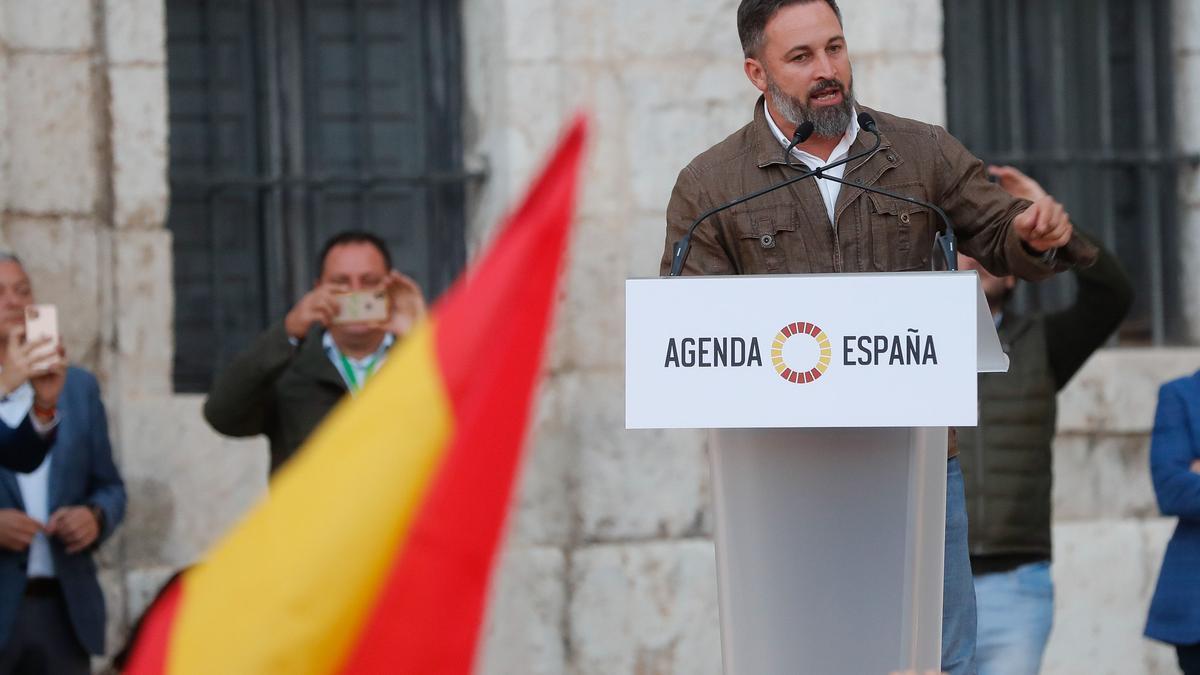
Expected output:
(752, 353)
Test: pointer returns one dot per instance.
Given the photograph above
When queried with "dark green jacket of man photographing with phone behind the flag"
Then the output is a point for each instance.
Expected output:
(278, 390)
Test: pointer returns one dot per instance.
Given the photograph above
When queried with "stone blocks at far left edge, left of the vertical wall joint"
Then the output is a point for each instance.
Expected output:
(56, 199)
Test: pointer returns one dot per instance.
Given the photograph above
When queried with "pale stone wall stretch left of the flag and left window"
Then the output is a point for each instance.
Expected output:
(83, 187)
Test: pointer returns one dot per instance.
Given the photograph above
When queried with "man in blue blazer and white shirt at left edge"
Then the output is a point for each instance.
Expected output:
(52, 610)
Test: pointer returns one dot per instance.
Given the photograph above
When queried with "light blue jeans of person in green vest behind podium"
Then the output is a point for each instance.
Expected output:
(1016, 614)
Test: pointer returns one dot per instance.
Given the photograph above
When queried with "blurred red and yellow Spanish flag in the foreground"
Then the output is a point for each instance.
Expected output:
(375, 548)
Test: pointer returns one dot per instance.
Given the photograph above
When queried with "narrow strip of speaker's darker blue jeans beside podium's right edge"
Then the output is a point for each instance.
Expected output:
(958, 587)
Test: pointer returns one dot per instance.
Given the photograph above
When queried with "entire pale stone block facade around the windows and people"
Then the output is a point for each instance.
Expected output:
(610, 569)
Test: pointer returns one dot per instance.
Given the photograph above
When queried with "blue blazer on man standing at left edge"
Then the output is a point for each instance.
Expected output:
(83, 474)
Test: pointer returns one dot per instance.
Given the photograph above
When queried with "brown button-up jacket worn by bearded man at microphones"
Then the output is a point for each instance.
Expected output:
(789, 231)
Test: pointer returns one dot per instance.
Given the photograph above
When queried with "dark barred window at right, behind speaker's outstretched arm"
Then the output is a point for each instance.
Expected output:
(1079, 95)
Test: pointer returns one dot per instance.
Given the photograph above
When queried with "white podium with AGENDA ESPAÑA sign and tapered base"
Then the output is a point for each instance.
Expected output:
(829, 401)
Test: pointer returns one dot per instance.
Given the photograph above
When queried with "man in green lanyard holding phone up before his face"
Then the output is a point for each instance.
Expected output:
(329, 345)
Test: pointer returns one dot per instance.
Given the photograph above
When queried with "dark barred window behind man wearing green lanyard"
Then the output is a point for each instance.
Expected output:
(292, 121)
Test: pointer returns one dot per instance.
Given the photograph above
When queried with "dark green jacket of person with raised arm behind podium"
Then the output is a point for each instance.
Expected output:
(1007, 461)
